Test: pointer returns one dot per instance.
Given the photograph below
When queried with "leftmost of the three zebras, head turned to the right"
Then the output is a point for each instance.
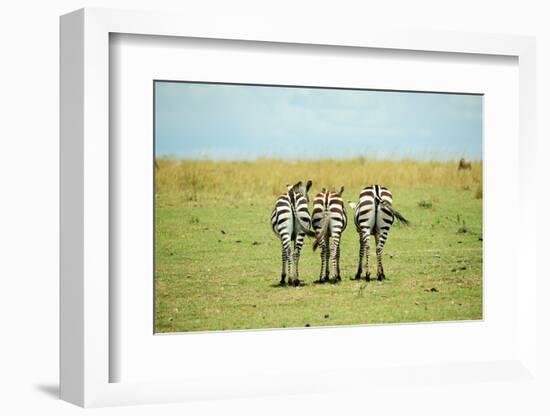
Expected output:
(290, 221)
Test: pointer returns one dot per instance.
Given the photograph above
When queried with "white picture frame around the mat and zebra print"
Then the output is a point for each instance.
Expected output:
(85, 215)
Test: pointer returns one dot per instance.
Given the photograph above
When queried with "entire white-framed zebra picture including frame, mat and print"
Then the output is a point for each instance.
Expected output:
(261, 211)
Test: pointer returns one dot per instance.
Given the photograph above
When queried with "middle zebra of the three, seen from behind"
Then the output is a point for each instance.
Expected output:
(329, 221)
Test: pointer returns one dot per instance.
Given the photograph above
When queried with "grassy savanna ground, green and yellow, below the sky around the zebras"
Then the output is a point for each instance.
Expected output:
(218, 263)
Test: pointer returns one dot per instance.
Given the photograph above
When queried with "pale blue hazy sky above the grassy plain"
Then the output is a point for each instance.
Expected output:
(242, 122)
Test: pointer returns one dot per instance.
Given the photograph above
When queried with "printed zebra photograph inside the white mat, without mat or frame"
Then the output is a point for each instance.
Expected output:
(327, 157)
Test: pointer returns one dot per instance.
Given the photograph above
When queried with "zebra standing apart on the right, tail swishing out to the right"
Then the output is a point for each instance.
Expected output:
(374, 215)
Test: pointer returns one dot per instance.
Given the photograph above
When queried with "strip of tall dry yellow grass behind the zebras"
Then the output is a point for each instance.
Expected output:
(266, 178)
